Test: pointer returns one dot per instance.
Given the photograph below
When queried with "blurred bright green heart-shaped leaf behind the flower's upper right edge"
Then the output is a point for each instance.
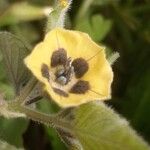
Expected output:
(96, 26)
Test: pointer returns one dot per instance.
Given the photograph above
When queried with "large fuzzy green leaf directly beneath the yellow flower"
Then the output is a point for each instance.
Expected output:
(97, 127)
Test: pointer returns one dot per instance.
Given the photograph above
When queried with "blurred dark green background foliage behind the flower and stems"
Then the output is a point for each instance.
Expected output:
(122, 26)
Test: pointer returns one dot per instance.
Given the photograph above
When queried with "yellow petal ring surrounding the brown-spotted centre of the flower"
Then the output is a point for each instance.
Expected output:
(77, 45)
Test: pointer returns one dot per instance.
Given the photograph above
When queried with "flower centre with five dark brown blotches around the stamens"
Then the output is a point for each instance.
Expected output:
(65, 74)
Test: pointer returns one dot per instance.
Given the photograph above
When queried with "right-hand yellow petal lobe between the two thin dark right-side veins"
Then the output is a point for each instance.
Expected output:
(100, 76)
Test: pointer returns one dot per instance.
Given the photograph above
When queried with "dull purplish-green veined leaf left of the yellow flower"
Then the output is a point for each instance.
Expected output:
(13, 52)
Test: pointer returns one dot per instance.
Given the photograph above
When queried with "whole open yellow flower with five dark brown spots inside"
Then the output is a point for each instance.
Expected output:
(72, 67)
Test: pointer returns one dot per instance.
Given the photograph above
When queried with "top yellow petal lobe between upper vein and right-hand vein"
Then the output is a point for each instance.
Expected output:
(77, 44)
